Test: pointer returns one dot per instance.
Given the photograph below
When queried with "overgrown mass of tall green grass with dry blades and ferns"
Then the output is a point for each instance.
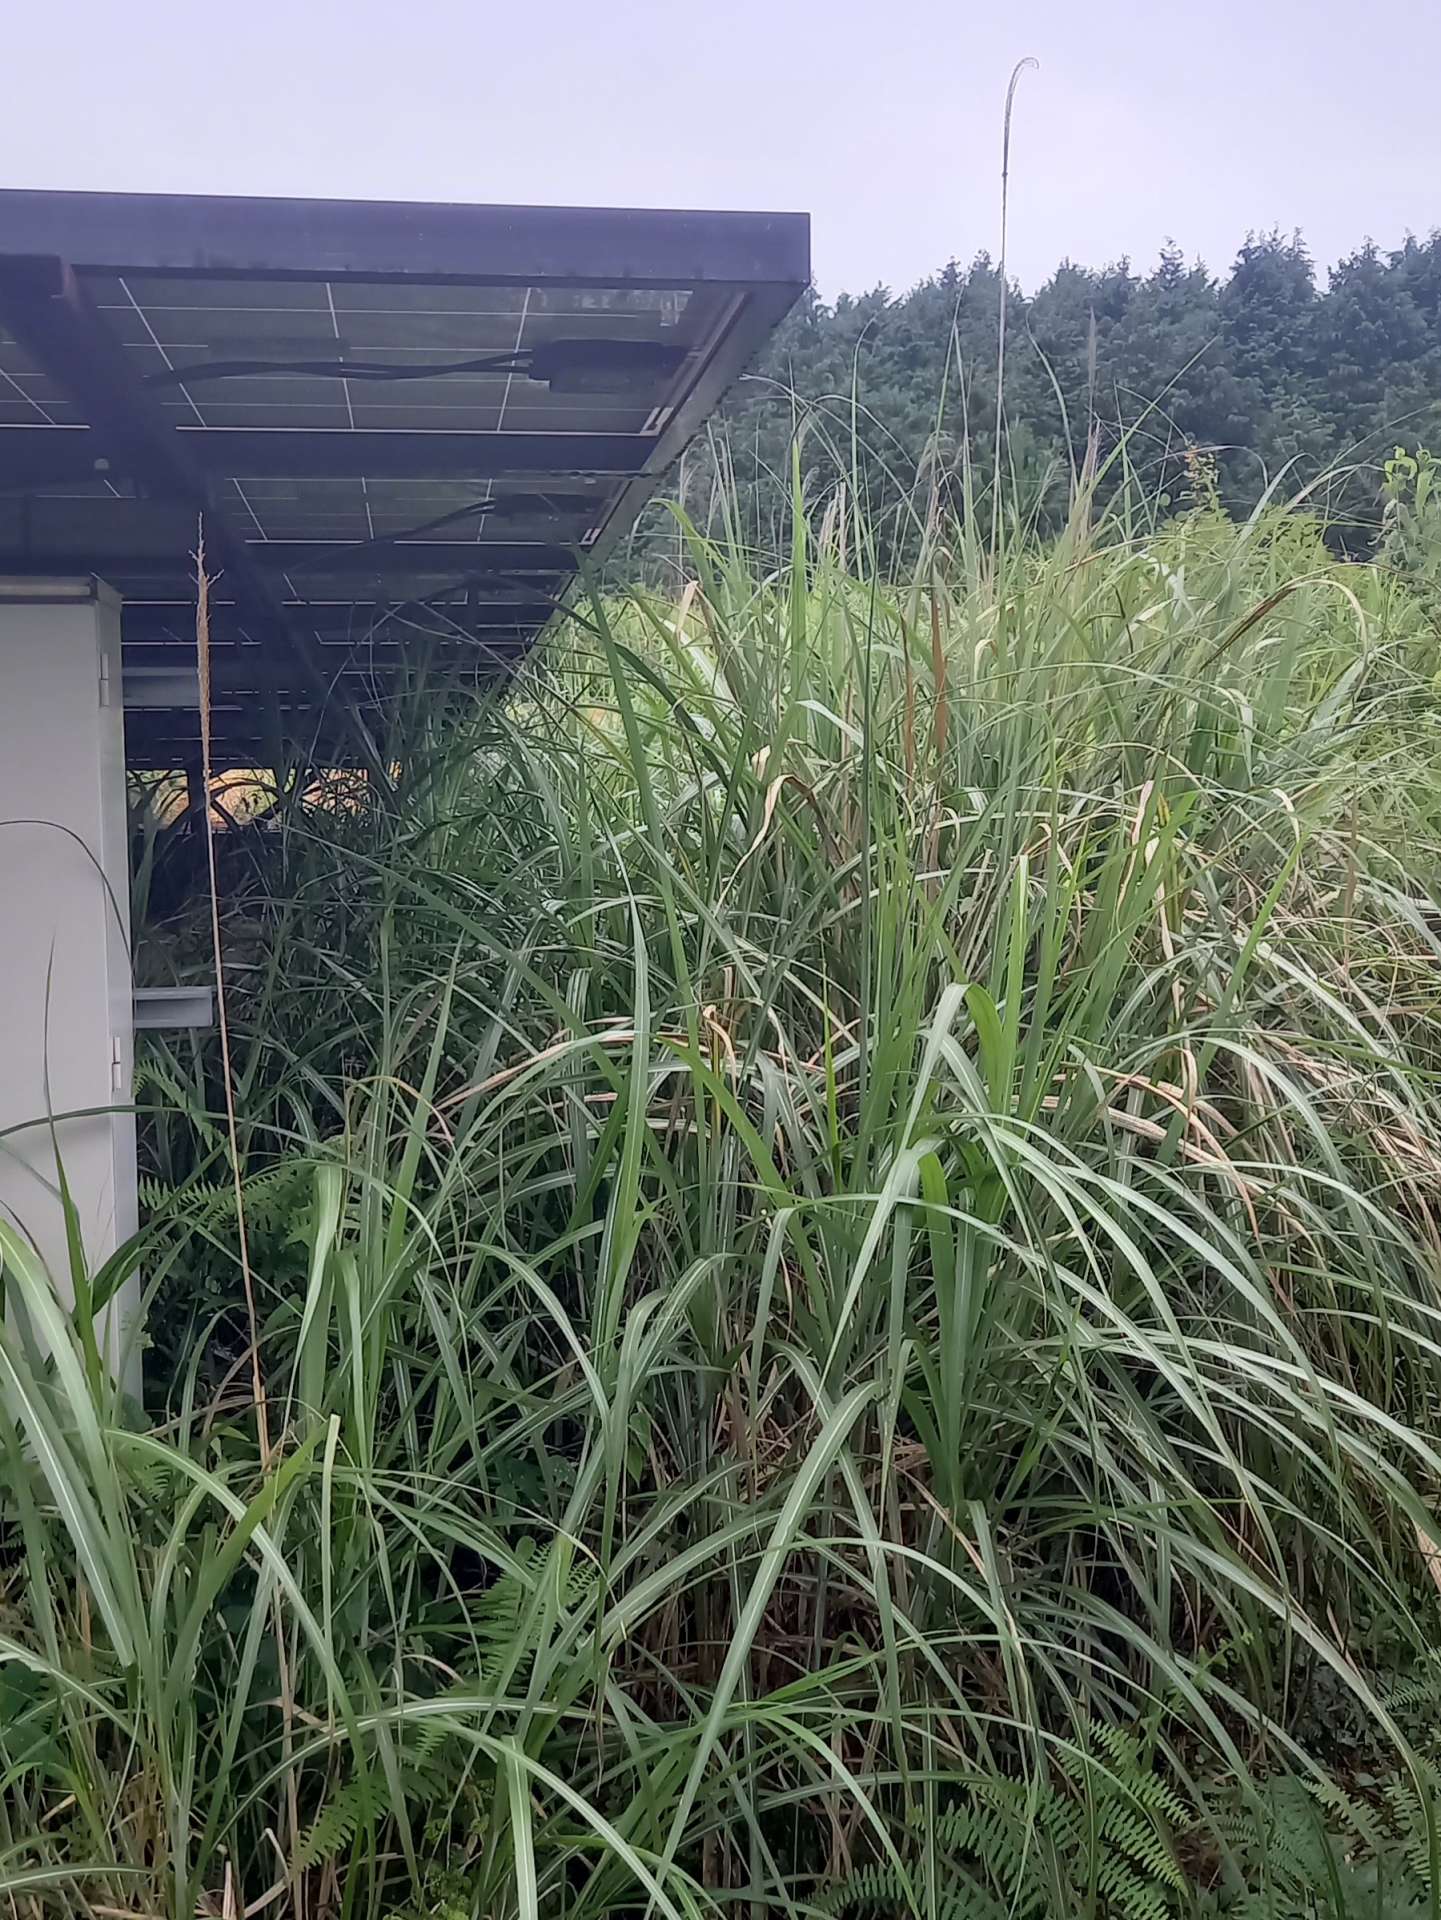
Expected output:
(845, 1234)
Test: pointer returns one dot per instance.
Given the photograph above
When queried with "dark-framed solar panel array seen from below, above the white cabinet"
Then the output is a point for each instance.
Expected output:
(408, 427)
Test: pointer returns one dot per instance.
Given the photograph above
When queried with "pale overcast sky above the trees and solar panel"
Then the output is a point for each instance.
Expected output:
(1146, 120)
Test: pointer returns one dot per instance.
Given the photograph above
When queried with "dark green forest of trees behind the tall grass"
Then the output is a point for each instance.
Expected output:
(1275, 375)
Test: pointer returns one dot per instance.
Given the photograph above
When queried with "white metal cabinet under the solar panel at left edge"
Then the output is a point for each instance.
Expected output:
(66, 1013)
